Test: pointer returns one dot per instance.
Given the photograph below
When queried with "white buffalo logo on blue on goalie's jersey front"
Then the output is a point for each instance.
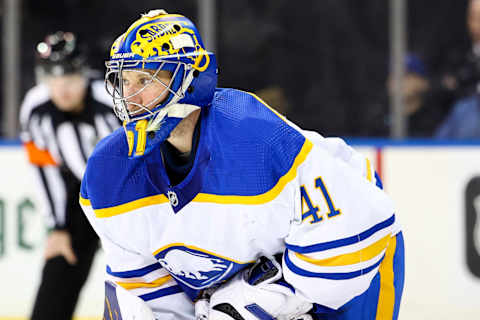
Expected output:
(196, 269)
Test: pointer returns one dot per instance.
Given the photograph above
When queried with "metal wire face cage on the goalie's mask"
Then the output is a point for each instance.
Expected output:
(114, 81)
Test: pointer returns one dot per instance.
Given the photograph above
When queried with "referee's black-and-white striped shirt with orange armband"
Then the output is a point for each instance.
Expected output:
(59, 143)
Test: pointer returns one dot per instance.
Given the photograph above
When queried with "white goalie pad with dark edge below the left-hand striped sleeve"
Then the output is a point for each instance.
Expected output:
(122, 305)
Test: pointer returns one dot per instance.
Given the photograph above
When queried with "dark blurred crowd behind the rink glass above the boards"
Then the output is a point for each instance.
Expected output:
(325, 64)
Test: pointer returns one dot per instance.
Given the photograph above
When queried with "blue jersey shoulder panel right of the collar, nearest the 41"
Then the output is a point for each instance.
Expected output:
(251, 145)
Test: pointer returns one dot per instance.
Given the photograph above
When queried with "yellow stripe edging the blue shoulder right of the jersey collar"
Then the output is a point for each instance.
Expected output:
(267, 196)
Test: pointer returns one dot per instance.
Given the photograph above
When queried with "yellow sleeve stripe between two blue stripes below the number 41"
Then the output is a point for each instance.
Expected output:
(364, 254)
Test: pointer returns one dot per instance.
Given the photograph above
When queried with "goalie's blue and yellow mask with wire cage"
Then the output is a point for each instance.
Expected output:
(165, 53)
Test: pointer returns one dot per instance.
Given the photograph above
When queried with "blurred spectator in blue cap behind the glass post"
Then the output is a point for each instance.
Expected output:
(419, 99)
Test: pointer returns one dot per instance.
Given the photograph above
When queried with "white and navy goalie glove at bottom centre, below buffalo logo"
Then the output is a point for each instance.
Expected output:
(255, 294)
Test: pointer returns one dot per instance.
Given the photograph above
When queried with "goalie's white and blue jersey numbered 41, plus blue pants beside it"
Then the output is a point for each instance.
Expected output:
(258, 186)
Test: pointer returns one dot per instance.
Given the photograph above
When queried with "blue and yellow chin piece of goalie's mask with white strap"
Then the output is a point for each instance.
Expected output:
(144, 135)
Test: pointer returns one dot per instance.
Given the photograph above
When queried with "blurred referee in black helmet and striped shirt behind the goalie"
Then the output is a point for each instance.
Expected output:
(62, 119)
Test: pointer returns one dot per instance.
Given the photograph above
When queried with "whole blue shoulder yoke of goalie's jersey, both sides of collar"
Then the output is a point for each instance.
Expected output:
(249, 148)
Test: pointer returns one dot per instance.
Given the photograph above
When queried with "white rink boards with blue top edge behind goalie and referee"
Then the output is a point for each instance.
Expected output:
(436, 188)
